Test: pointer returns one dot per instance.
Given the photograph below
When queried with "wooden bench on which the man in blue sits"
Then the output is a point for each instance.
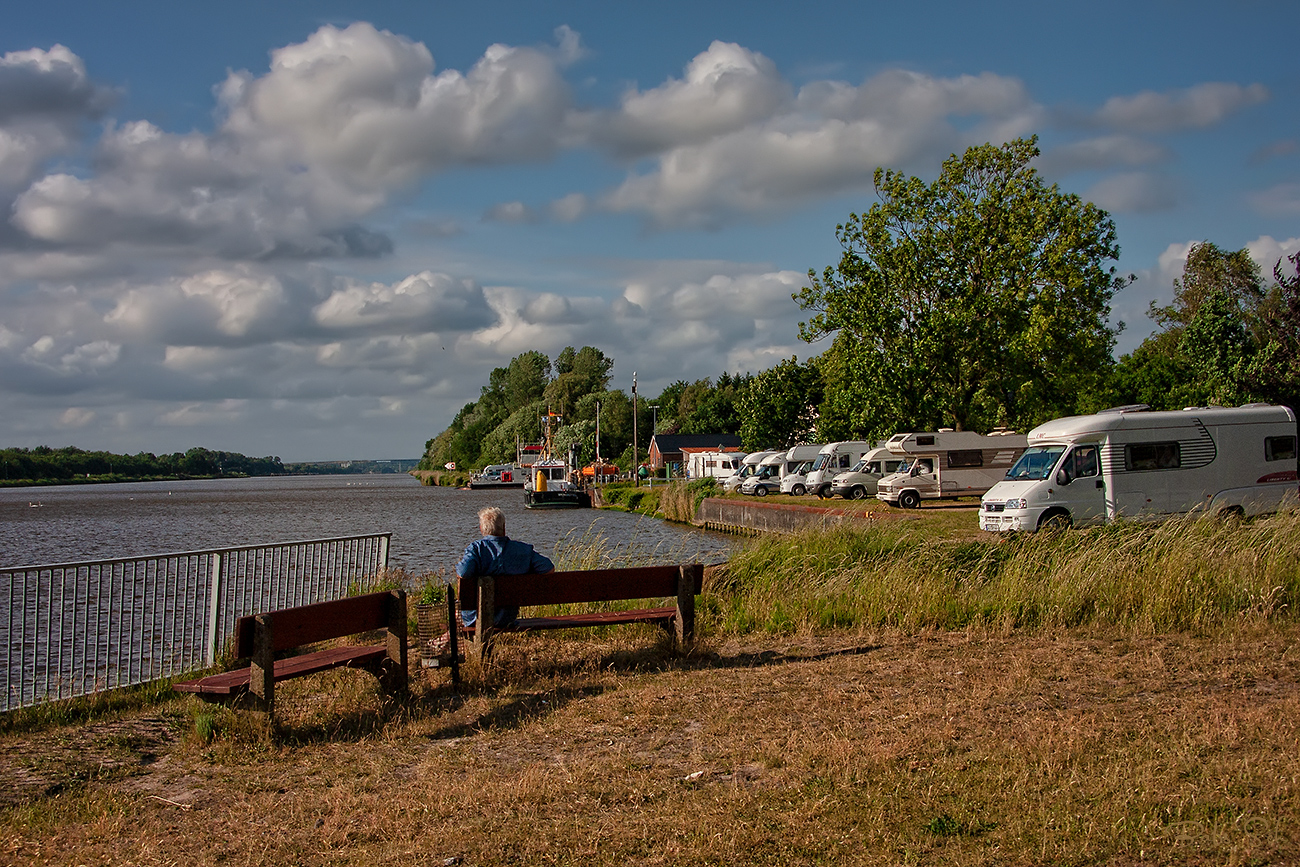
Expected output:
(681, 583)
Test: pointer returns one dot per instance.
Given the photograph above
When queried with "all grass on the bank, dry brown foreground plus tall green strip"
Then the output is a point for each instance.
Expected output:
(877, 696)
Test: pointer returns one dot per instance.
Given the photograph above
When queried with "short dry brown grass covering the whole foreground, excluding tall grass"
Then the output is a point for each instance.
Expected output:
(831, 748)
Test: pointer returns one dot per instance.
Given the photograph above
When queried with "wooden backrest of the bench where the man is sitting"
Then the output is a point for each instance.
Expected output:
(583, 586)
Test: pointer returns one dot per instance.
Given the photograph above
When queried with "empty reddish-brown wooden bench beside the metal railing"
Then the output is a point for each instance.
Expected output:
(261, 638)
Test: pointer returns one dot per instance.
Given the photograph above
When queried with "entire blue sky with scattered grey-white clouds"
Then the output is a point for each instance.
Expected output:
(313, 229)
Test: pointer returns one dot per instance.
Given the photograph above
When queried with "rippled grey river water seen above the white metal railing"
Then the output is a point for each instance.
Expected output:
(430, 526)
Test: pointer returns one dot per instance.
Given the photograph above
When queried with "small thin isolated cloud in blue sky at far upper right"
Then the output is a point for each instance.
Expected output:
(1197, 107)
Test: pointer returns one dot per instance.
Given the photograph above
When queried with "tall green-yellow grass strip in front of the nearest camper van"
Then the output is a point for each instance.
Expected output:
(1194, 575)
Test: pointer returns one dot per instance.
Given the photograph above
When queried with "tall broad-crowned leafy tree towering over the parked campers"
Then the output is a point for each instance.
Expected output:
(973, 302)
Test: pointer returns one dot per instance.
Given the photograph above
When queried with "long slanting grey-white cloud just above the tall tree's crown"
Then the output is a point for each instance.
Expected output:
(831, 140)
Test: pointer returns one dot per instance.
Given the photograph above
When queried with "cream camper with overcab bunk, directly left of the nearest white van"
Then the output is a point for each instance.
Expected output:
(947, 465)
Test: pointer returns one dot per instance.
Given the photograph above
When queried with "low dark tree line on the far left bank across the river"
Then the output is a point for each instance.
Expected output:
(45, 465)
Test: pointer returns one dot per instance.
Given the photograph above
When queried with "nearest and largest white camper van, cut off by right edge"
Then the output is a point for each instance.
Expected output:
(1136, 463)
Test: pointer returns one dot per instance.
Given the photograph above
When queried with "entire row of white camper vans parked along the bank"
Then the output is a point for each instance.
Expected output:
(1126, 462)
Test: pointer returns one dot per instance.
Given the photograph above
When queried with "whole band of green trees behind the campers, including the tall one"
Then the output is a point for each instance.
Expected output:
(978, 301)
